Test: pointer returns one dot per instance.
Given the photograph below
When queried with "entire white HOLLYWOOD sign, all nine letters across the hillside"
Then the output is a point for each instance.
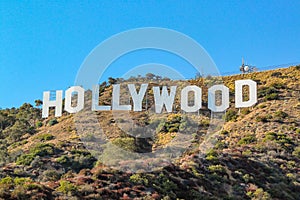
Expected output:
(162, 97)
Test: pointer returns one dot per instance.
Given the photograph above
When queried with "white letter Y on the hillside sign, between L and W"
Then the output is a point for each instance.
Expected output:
(137, 97)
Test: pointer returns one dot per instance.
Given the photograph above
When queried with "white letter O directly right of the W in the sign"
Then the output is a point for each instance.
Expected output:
(197, 98)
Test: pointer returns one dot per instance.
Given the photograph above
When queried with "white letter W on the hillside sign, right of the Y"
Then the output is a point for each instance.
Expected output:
(164, 98)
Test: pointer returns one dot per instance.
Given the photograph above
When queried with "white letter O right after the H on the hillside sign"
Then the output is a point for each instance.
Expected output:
(80, 99)
